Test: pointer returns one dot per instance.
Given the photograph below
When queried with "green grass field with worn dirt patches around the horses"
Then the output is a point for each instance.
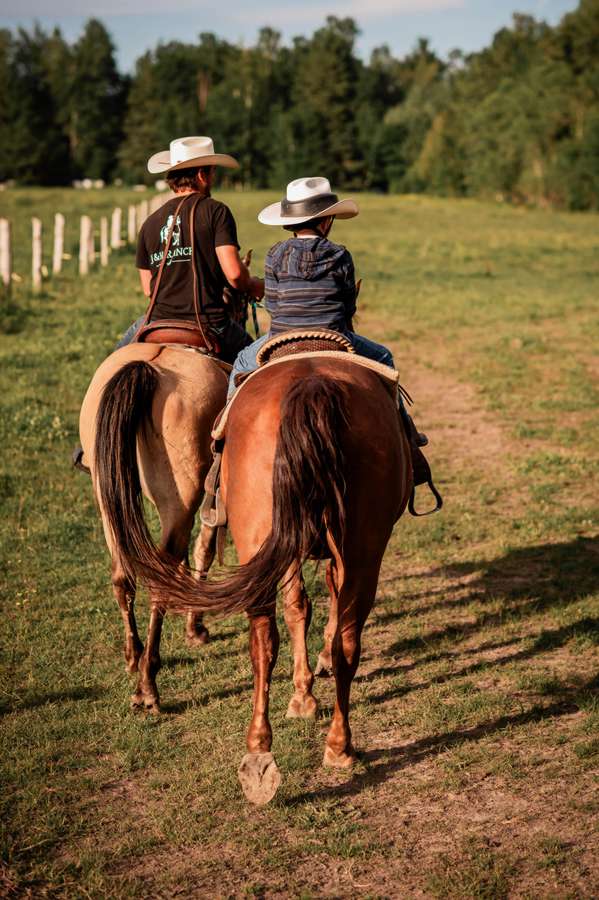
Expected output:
(476, 706)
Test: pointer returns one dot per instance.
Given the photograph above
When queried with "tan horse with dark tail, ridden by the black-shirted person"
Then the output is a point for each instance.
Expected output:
(145, 429)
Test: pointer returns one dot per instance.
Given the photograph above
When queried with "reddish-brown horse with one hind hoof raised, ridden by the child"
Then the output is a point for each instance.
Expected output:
(315, 465)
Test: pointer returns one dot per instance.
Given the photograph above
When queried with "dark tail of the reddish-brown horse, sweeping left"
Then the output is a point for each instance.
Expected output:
(308, 504)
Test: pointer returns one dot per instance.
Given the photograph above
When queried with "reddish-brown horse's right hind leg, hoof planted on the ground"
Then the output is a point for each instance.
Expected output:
(355, 603)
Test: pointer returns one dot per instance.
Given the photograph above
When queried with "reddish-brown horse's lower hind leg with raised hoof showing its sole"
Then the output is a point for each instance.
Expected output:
(258, 772)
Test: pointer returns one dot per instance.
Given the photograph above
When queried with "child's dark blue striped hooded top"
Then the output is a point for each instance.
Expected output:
(309, 282)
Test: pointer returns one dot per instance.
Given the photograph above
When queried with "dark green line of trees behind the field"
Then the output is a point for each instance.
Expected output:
(519, 119)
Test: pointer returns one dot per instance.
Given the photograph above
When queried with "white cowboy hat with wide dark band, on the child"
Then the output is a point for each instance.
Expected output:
(305, 199)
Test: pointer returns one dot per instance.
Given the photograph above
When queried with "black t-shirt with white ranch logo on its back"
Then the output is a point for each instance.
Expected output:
(214, 227)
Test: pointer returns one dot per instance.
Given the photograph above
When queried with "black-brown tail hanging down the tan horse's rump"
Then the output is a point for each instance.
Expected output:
(124, 412)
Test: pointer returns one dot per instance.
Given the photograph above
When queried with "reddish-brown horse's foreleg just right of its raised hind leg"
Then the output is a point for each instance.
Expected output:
(298, 613)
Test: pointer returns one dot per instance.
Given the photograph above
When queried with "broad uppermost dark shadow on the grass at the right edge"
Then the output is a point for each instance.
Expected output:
(527, 580)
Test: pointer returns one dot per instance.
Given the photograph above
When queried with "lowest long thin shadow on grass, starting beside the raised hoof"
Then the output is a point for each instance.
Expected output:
(383, 763)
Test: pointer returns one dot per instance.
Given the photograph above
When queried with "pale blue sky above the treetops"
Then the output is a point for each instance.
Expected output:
(138, 25)
